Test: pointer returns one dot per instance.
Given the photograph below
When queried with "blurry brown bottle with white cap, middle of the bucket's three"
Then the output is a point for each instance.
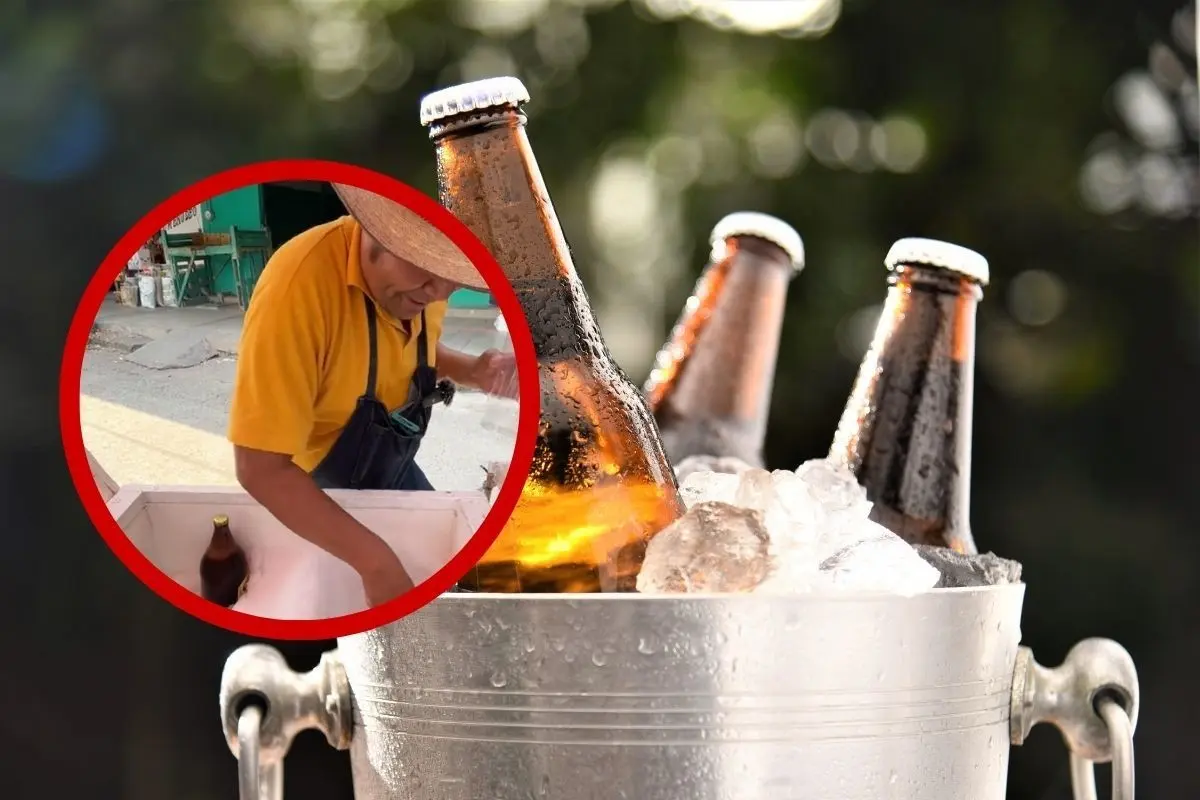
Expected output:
(710, 390)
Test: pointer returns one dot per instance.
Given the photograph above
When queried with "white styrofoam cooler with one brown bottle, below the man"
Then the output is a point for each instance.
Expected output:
(290, 578)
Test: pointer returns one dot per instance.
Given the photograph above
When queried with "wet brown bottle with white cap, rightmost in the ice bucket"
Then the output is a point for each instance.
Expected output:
(907, 430)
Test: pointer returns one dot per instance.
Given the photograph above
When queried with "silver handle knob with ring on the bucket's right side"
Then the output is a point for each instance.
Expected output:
(1093, 699)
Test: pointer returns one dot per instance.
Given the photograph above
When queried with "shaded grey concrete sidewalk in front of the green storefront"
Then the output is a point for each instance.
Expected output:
(175, 339)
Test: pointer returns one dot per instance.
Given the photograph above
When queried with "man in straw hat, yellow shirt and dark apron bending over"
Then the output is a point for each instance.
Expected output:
(339, 371)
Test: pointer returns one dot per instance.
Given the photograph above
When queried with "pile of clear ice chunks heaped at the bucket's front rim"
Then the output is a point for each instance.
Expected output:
(783, 533)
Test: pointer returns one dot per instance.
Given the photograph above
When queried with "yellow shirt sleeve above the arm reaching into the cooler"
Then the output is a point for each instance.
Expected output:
(279, 365)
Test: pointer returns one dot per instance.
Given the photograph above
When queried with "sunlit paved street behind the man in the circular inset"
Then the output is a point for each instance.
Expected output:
(167, 426)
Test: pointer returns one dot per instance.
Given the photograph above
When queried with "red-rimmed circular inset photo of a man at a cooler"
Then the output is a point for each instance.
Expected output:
(299, 400)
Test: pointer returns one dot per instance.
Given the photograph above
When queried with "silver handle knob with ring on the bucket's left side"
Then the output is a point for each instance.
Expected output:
(265, 705)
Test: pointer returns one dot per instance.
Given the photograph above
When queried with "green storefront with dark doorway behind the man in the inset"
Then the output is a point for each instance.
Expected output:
(241, 230)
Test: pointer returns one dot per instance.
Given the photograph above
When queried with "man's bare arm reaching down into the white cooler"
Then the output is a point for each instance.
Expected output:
(296, 501)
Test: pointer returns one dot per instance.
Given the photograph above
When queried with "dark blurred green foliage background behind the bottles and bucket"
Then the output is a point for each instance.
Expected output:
(1057, 137)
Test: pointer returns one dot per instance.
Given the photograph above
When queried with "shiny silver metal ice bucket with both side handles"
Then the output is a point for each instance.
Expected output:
(742, 697)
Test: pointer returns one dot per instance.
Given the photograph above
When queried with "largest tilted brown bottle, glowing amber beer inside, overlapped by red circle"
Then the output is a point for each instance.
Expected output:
(601, 485)
